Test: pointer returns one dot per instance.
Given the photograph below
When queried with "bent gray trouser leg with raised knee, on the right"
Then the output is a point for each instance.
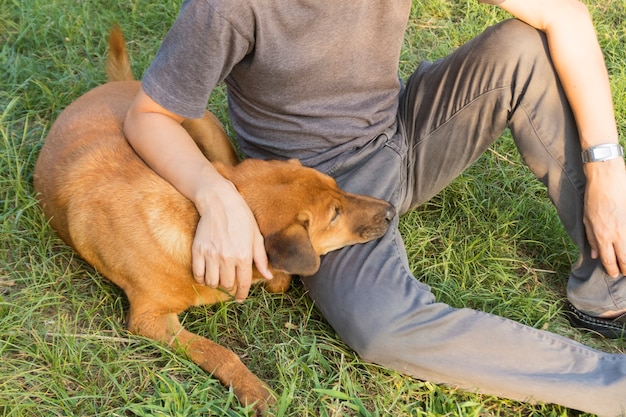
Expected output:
(458, 106)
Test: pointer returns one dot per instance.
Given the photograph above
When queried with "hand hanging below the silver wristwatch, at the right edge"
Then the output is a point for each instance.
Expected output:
(605, 214)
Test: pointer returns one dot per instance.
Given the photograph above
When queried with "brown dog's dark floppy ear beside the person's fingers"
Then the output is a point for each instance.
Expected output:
(290, 249)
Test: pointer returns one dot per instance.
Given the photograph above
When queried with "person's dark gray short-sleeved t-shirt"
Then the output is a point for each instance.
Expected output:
(307, 79)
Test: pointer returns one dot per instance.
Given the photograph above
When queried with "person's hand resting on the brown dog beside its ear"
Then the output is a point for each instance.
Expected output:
(226, 244)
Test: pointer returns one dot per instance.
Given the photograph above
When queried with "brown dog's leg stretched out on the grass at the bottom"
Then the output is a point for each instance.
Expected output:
(219, 361)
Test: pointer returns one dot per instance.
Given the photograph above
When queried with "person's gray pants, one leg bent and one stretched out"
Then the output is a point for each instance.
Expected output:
(450, 112)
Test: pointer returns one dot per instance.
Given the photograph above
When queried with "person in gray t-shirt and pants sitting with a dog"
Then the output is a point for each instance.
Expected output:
(318, 81)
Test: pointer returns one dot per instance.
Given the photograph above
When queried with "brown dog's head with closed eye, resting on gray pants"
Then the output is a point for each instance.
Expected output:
(303, 214)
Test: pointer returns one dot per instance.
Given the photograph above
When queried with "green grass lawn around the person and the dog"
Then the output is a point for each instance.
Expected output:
(490, 241)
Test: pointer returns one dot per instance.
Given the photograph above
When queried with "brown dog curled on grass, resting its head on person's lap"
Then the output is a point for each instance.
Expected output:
(137, 230)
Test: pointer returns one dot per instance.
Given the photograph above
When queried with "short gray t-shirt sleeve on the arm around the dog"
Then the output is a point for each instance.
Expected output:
(198, 52)
